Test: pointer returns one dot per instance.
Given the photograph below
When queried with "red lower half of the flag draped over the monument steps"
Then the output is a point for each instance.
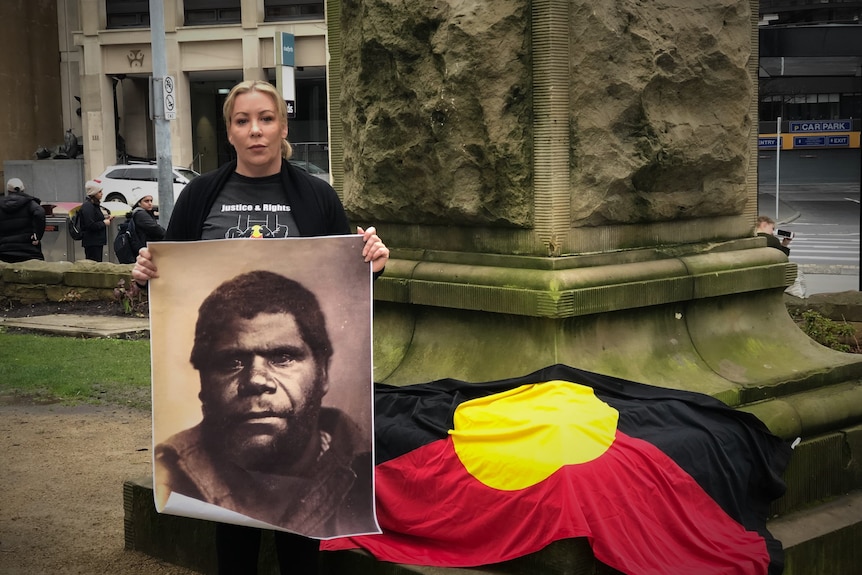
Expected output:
(641, 512)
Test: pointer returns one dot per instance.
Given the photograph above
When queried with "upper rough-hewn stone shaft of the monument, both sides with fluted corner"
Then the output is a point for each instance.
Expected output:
(444, 105)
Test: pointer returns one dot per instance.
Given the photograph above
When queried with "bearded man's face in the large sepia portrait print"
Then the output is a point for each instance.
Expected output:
(261, 392)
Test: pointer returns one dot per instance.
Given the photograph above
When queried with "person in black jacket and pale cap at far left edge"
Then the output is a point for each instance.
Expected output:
(22, 224)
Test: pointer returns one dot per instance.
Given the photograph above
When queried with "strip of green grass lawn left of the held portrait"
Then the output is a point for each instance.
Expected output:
(70, 370)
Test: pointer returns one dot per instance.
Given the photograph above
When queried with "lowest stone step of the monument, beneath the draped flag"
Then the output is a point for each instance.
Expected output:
(823, 540)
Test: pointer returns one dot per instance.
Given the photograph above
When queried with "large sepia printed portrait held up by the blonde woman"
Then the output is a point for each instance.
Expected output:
(262, 384)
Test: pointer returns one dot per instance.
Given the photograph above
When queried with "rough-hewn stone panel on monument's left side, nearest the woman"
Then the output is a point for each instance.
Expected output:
(440, 99)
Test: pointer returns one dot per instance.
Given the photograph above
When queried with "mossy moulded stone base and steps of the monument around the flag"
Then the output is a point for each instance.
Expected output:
(710, 319)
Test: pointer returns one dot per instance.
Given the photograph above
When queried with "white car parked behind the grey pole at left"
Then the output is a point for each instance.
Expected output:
(128, 183)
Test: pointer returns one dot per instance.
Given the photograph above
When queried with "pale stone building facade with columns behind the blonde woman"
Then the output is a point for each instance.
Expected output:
(210, 45)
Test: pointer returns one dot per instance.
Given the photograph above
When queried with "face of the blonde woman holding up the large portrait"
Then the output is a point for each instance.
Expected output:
(256, 132)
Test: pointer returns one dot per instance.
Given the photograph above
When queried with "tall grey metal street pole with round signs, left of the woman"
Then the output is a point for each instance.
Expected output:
(162, 124)
